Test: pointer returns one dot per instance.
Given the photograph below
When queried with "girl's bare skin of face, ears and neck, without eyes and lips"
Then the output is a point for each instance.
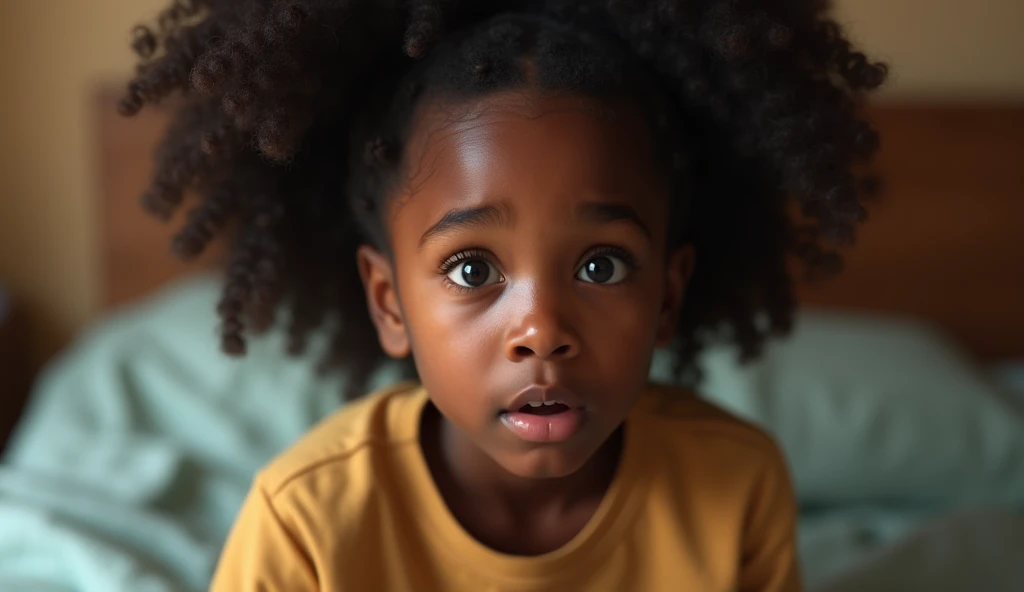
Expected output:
(539, 162)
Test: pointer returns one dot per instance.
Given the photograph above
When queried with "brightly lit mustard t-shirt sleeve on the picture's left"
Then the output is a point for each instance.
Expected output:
(262, 555)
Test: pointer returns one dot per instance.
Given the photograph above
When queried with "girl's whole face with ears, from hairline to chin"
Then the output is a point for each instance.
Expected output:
(529, 267)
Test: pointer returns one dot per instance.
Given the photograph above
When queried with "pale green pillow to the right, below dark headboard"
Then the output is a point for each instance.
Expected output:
(877, 409)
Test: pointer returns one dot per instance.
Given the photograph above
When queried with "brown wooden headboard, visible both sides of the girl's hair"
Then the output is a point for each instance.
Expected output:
(945, 242)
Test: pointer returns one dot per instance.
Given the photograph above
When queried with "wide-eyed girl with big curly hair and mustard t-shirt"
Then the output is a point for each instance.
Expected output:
(535, 195)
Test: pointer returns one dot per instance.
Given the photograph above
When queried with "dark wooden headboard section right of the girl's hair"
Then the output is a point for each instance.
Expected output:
(946, 240)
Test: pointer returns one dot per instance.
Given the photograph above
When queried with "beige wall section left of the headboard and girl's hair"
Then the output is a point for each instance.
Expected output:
(52, 55)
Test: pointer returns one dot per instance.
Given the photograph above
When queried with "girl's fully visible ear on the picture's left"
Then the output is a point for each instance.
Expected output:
(382, 301)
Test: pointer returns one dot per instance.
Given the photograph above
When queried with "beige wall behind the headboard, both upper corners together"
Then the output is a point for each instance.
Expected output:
(53, 53)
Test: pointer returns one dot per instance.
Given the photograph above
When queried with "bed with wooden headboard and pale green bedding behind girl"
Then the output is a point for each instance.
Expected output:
(900, 401)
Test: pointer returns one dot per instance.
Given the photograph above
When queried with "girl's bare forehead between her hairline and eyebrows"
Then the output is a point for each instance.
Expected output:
(527, 151)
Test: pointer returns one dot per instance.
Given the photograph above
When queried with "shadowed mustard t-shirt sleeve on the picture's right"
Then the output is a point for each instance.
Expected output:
(770, 559)
